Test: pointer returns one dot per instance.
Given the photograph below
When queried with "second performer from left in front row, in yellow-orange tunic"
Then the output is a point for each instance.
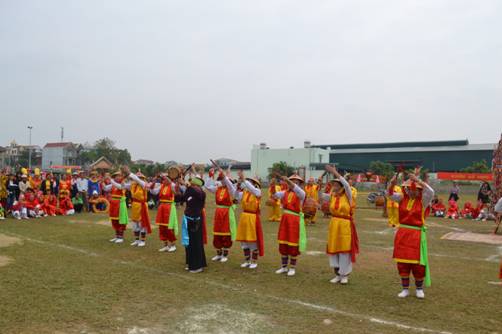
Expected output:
(139, 209)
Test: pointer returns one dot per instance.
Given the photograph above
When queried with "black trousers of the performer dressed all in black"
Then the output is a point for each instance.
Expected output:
(195, 256)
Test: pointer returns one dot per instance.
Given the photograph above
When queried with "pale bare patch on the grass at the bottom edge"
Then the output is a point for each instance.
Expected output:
(219, 319)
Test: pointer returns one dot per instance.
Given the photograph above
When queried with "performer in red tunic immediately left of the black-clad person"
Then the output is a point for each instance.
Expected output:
(167, 218)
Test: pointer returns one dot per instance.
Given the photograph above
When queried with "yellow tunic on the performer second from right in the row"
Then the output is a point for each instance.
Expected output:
(340, 233)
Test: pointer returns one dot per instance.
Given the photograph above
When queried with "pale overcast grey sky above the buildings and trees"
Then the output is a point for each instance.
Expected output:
(193, 80)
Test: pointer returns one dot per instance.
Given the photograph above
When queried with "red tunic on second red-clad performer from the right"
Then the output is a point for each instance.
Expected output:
(289, 227)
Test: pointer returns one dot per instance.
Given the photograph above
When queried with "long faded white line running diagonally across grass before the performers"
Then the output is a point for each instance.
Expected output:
(185, 277)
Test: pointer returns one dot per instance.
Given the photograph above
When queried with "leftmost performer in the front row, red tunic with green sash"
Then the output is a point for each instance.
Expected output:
(118, 208)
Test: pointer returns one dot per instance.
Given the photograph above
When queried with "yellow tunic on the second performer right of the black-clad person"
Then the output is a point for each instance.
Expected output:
(246, 231)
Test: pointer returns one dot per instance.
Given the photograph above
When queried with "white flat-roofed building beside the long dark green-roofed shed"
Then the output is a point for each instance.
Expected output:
(309, 161)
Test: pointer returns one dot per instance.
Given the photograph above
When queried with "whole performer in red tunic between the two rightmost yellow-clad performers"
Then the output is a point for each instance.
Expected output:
(291, 236)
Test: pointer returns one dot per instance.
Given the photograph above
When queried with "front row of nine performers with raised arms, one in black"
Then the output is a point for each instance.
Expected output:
(410, 245)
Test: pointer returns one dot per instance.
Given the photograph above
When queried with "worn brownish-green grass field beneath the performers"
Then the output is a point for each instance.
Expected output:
(61, 275)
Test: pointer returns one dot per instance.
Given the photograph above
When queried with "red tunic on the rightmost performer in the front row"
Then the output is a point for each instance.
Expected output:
(407, 241)
